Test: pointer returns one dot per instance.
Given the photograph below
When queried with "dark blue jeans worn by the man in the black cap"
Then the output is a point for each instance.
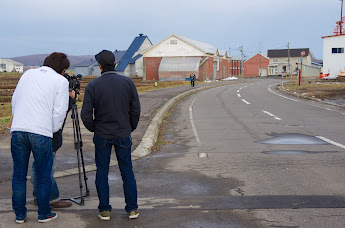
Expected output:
(123, 154)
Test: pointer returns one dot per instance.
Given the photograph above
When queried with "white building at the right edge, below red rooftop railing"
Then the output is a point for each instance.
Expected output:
(333, 55)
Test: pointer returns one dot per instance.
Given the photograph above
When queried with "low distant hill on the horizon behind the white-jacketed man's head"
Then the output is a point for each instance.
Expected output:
(37, 60)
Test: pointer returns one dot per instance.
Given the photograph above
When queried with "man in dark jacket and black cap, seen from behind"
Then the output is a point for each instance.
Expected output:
(111, 109)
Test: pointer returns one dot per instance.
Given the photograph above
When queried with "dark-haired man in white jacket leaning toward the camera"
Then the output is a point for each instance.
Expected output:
(39, 106)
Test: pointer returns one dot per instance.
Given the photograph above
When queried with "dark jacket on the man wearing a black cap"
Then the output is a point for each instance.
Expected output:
(111, 107)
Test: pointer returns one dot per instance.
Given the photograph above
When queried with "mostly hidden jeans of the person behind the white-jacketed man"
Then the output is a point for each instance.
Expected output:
(55, 194)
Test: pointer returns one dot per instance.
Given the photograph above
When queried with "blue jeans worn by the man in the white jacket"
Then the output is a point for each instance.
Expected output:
(22, 143)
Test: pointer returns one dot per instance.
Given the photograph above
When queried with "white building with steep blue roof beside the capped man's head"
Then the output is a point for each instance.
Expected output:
(131, 64)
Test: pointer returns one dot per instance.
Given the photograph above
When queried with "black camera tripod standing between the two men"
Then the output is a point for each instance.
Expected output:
(78, 144)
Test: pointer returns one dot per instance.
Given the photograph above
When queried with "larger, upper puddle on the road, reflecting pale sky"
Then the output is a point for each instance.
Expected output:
(293, 139)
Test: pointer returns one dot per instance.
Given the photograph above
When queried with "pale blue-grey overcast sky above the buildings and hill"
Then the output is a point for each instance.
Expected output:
(85, 27)
